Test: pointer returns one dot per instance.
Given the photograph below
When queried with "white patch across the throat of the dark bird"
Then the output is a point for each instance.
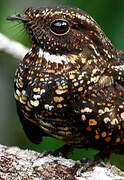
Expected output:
(61, 59)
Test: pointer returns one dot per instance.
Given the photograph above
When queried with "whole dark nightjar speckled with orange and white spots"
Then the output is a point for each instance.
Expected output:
(70, 85)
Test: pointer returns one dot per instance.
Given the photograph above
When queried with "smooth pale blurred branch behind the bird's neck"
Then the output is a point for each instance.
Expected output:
(13, 48)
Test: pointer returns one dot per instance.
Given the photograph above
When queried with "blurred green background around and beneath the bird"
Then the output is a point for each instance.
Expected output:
(108, 13)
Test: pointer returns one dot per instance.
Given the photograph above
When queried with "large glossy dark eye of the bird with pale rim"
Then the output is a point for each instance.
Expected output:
(59, 27)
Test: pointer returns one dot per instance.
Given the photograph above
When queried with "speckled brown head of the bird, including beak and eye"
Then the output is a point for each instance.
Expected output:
(63, 30)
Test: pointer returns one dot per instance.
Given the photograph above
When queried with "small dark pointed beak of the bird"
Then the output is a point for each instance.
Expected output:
(16, 17)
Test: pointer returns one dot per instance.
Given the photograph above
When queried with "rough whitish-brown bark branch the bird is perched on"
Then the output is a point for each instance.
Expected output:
(17, 164)
